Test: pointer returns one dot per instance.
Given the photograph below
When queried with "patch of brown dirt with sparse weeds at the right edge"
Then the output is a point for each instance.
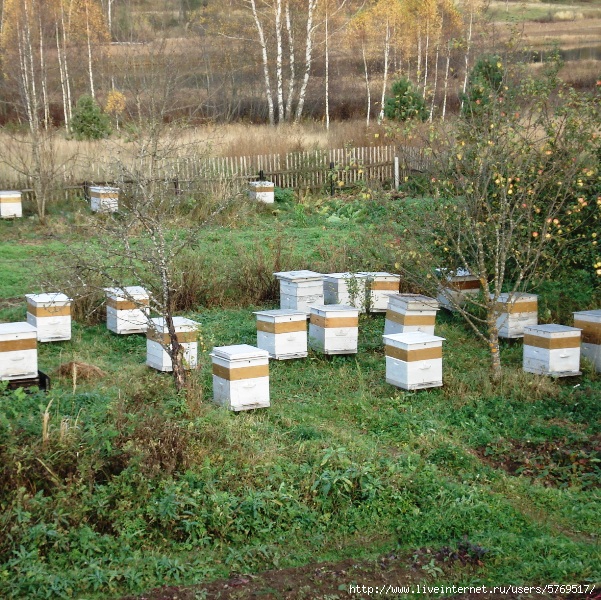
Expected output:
(569, 461)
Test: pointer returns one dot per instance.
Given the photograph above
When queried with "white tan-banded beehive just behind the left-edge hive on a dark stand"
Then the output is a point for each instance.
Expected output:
(50, 314)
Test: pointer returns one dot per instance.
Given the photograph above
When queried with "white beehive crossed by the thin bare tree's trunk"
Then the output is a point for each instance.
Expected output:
(158, 338)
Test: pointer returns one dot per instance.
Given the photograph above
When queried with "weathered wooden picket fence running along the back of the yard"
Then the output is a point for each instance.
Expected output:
(298, 170)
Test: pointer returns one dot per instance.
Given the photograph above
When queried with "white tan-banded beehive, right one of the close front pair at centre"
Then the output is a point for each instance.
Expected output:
(334, 329)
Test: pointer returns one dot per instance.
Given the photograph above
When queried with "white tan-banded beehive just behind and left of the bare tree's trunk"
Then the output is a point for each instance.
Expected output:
(127, 310)
